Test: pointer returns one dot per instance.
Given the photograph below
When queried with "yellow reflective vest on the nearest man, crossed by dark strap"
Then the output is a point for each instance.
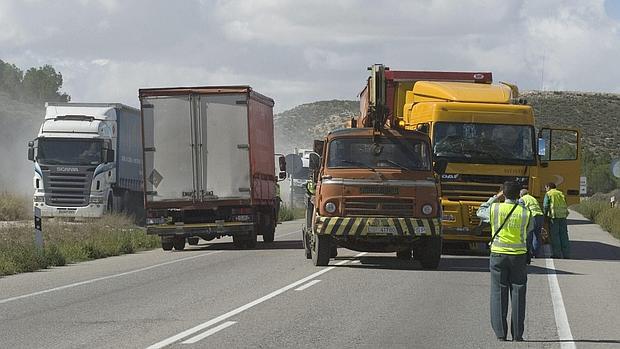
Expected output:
(512, 238)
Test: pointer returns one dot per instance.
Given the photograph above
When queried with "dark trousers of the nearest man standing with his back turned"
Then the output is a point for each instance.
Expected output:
(508, 277)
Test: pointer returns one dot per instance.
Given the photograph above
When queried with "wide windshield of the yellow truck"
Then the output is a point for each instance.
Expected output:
(484, 143)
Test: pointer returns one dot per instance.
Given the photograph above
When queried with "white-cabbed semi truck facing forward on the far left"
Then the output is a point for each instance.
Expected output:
(88, 160)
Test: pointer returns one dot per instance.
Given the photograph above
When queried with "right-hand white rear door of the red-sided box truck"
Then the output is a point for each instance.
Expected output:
(225, 153)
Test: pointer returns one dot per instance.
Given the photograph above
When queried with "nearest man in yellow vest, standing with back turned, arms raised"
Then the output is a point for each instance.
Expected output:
(511, 223)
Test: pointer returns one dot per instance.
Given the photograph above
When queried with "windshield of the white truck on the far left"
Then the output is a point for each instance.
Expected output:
(69, 151)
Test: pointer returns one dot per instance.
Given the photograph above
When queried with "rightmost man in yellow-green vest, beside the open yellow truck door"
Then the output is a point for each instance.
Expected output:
(554, 207)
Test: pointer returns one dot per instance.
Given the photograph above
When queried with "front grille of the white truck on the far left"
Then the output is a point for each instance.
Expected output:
(67, 189)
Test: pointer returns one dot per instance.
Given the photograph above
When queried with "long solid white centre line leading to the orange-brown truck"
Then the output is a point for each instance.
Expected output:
(243, 308)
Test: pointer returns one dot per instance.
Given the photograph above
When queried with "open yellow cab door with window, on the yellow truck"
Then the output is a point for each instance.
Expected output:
(558, 151)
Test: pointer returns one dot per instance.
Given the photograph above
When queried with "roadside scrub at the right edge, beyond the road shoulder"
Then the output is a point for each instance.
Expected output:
(598, 210)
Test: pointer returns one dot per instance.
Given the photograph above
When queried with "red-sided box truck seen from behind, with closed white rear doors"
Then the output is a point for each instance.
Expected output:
(209, 168)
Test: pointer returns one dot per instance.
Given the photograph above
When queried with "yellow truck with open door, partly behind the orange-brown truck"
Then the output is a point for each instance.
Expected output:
(487, 135)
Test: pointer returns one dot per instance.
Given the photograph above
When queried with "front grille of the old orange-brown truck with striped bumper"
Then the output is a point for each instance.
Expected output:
(379, 206)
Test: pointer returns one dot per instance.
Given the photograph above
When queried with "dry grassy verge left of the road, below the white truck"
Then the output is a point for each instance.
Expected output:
(69, 242)
